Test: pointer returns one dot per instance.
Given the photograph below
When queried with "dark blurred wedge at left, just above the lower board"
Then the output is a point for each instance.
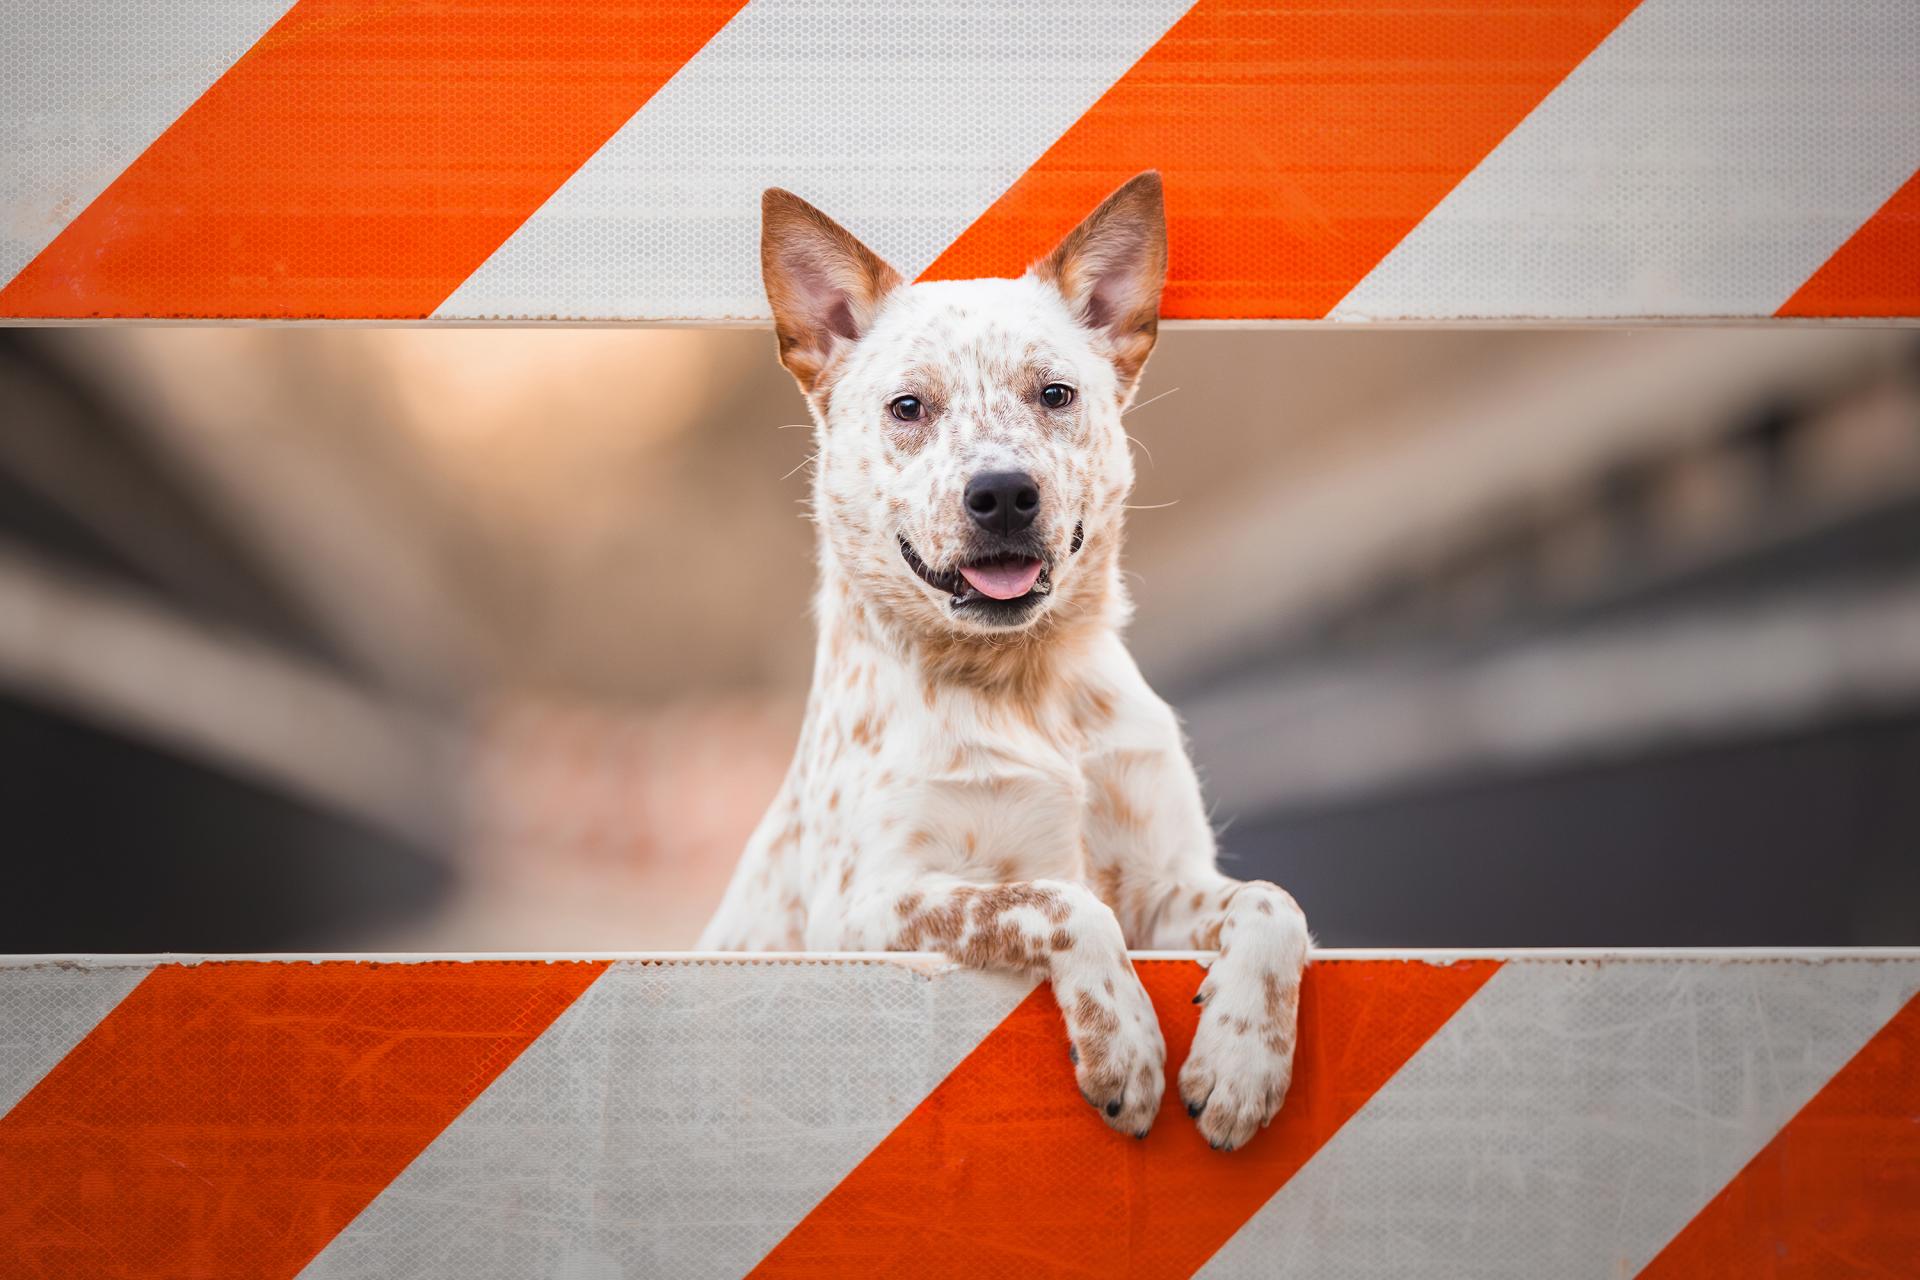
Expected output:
(118, 847)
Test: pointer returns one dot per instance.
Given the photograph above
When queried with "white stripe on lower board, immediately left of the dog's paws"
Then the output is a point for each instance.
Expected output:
(677, 1122)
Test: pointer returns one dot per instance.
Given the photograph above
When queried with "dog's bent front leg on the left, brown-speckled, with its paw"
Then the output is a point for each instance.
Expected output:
(1044, 928)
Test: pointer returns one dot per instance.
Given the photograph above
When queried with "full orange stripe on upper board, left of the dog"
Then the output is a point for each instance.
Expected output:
(364, 158)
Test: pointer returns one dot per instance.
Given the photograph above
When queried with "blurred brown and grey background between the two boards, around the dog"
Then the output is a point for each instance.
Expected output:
(483, 640)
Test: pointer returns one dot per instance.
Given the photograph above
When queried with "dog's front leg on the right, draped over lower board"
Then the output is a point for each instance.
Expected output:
(1243, 1056)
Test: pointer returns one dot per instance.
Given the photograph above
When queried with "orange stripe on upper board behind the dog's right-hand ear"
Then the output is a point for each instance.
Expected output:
(1301, 141)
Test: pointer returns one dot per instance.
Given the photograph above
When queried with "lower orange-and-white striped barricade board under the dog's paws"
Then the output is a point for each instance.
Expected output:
(581, 1120)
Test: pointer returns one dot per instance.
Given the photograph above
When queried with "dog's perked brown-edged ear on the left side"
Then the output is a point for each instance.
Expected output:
(823, 283)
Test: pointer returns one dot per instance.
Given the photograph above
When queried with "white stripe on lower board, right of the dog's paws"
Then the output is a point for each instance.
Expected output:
(1570, 1120)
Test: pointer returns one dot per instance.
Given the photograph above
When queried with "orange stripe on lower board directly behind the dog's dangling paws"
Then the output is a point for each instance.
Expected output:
(1003, 1170)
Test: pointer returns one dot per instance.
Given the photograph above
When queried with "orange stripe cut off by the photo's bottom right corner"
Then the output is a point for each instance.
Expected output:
(1838, 1189)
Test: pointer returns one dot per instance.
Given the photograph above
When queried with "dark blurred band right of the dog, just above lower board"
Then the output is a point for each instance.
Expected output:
(1796, 841)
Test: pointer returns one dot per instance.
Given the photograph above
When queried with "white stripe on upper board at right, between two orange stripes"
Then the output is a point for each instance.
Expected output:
(1704, 160)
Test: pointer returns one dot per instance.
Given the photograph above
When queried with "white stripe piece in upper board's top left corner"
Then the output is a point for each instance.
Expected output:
(87, 85)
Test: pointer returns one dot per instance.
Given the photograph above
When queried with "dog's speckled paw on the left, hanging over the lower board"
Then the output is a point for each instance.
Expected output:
(1116, 1047)
